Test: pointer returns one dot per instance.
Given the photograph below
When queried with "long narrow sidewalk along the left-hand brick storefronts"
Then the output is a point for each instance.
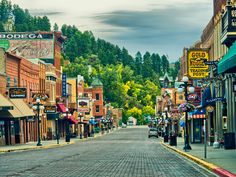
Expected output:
(46, 144)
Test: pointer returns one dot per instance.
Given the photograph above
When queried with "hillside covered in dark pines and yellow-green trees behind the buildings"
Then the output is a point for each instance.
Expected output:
(131, 83)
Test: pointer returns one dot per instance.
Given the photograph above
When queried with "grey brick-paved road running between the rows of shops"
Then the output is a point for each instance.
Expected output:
(124, 153)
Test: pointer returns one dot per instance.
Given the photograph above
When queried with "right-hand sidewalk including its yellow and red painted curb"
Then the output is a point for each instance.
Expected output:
(220, 161)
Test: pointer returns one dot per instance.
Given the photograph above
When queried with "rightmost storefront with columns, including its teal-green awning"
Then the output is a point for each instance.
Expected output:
(226, 109)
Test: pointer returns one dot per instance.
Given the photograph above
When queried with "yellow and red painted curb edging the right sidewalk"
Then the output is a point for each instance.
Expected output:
(217, 170)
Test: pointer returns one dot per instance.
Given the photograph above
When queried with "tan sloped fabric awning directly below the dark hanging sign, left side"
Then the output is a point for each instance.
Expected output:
(22, 107)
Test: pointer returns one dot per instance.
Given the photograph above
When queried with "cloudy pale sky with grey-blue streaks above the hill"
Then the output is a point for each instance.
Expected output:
(157, 26)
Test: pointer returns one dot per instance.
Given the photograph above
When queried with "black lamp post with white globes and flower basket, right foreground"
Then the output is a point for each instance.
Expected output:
(184, 87)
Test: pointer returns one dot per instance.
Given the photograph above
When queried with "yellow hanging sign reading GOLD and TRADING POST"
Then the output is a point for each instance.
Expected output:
(197, 68)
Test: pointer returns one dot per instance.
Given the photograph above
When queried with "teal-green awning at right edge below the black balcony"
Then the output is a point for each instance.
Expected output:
(228, 62)
